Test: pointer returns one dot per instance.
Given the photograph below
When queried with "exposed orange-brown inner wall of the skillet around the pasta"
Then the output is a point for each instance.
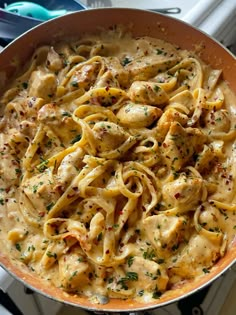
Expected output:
(13, 58)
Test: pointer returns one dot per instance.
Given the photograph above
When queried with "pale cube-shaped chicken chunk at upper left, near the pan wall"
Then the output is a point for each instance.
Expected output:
(42, 84)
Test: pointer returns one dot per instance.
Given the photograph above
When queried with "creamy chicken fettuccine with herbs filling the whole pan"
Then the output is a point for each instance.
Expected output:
(117, 166)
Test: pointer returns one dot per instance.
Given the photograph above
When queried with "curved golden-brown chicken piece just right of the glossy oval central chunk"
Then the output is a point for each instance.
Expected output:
(169, 116)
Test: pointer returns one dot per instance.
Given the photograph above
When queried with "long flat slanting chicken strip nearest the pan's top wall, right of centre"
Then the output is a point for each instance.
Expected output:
(147, 67)
